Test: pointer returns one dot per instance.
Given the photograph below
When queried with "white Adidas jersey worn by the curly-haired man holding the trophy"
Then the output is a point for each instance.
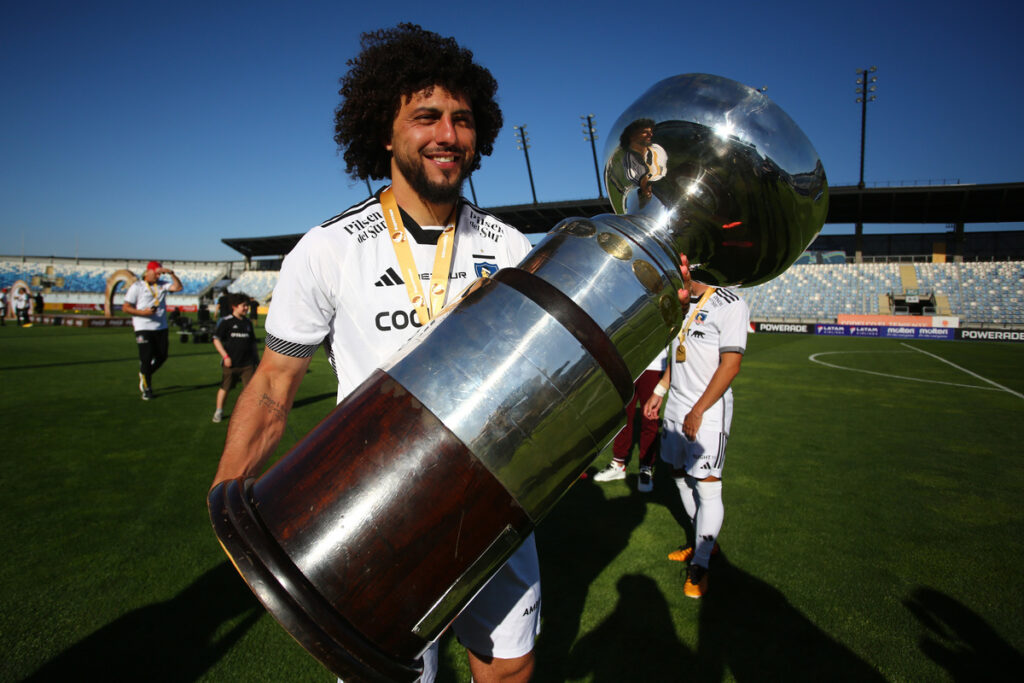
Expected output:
(342, 285)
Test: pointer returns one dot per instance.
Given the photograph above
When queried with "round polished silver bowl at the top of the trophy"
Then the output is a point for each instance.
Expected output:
(732, 182)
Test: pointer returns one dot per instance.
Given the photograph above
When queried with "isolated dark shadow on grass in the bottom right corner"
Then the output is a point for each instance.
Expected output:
(961, 642)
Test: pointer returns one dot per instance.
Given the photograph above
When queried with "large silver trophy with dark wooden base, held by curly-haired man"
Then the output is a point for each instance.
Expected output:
(368, 539)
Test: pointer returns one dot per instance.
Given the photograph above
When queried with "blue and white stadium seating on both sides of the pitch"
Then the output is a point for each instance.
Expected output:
(817, 289)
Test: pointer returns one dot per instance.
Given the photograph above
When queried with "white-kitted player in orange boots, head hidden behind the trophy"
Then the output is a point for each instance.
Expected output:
(703, 363)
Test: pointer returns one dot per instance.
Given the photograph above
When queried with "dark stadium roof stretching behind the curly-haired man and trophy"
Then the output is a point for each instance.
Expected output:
(959, 204)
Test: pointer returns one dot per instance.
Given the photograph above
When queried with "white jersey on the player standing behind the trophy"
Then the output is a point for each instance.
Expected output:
(720, 327)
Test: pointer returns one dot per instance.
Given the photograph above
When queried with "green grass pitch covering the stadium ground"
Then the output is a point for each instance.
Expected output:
(874, 531)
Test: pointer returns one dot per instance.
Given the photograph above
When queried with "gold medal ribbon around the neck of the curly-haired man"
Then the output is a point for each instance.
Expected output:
(404, 252)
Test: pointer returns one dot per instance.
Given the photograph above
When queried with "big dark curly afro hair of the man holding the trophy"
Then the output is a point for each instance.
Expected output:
(394, 65)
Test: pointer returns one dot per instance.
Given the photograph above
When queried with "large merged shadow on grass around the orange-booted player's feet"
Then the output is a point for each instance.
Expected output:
(746, 628)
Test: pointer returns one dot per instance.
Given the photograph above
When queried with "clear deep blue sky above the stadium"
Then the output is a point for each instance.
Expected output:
(154, 130)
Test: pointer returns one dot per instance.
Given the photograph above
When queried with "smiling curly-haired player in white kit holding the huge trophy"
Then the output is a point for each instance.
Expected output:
(419, 111)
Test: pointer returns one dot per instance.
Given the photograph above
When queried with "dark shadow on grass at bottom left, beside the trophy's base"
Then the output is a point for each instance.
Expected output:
(173, 641)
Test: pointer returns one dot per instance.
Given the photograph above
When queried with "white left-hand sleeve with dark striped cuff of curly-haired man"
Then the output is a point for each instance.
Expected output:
(303, 307)
